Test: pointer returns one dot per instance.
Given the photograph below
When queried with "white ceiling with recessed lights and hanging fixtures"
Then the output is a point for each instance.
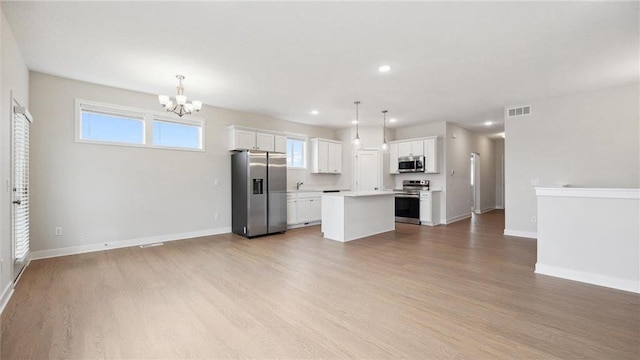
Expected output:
(450, 61)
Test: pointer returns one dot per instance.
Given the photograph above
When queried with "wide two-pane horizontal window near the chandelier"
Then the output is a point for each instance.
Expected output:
(115, 125)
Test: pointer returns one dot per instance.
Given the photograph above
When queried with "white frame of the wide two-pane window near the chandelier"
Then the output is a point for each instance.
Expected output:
(146, 116)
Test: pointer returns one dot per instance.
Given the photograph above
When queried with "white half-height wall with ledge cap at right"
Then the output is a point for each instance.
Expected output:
(590, 235)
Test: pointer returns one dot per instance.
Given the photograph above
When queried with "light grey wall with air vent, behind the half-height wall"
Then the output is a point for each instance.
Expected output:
(587, 140)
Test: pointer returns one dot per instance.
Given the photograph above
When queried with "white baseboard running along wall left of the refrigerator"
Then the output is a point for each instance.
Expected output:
(72, 250)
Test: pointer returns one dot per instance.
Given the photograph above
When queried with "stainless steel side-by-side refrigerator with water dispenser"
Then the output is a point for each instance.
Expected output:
(259, 193)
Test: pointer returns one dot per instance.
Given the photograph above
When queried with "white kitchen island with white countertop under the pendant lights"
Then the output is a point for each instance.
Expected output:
(353, 215)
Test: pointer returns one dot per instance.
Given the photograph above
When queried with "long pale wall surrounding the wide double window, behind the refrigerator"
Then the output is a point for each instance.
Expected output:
(101, 194)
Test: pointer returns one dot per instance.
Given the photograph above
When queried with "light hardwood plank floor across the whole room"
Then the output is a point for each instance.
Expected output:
(456, 291)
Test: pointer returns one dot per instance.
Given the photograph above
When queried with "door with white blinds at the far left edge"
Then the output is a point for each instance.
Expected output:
(20, 189)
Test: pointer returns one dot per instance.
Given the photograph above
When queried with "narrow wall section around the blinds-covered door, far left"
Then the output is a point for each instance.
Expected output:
(15, 79)
